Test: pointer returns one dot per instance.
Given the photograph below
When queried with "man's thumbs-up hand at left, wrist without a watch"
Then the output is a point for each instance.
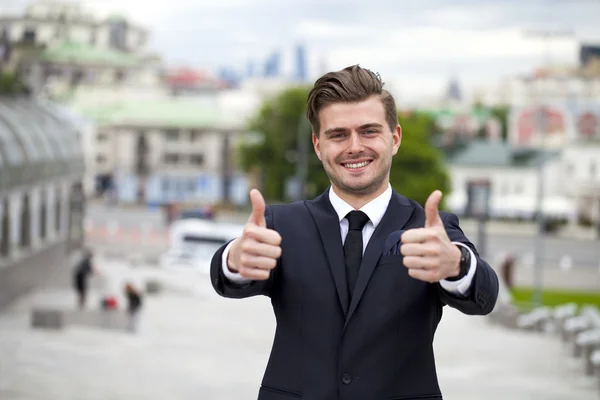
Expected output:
(255, 253)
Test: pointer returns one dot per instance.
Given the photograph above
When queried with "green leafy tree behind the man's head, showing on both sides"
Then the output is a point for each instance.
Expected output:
(417, 169)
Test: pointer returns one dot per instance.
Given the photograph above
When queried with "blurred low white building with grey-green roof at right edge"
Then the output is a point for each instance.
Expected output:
(571, 180)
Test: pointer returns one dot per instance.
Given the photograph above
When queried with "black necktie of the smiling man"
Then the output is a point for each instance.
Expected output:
(353, 246)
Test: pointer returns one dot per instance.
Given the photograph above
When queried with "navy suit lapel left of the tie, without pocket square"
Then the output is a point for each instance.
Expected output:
(328, 224)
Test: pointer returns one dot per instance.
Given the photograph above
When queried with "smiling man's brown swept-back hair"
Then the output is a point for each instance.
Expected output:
(349, 85)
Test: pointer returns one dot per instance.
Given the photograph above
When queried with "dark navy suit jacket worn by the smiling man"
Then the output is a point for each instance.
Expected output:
(376, 346)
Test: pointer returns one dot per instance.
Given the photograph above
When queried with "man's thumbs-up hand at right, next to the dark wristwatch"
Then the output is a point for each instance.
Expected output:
(428, 253)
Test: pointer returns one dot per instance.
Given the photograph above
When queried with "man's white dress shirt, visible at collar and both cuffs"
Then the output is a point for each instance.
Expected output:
(375, 209)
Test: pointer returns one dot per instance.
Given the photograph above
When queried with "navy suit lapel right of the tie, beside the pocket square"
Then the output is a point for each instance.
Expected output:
(396, 216)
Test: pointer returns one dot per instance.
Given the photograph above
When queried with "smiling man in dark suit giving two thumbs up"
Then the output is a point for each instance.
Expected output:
(358, 276)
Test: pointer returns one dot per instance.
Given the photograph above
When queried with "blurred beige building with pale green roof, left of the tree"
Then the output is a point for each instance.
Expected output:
(164, 151)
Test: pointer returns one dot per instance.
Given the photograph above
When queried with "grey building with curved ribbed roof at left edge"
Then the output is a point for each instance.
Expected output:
(41, 201)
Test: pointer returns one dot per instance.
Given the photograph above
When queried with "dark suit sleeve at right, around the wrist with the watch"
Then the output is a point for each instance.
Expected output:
(483, 292)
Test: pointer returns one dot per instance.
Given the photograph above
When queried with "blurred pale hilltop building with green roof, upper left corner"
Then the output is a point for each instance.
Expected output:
(59, 47)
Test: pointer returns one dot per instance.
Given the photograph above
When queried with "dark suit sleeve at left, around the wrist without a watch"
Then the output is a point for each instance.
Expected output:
(226, 288)
